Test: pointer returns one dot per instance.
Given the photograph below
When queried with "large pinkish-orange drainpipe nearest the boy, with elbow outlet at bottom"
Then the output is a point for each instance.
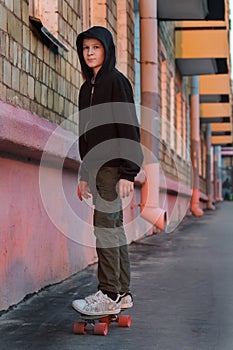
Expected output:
(150, 209)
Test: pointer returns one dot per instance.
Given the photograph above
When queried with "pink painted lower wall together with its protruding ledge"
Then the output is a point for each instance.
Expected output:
(46, 233)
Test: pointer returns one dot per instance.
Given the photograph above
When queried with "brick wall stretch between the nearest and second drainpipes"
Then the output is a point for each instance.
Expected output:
(172, 163)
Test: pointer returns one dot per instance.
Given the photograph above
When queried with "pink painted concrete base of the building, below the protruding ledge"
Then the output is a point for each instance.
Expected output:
(36, 249)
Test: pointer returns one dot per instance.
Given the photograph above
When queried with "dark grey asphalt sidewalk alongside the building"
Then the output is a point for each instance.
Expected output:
(183, 286)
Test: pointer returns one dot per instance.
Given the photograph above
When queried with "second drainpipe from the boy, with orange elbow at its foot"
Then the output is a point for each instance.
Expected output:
(195, 141)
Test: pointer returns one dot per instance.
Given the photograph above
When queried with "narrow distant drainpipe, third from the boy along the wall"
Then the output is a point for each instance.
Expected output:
(210, 205)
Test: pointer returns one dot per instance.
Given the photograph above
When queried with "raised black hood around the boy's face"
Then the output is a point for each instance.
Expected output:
(104, 35)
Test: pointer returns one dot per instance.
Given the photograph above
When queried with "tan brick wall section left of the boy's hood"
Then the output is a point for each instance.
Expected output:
(32, 76)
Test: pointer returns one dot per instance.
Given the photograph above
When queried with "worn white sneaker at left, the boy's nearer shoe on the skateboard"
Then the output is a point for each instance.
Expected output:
(97, 305)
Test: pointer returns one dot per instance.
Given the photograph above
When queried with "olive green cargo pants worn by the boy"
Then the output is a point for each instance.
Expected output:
(111, 244)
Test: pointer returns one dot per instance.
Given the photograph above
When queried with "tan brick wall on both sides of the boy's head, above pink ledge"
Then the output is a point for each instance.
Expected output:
(35, 78)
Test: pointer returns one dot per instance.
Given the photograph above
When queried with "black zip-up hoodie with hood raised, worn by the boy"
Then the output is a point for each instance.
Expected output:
(108, 125)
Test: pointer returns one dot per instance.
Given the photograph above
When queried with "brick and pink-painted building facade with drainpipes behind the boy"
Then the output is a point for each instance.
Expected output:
(182, 92)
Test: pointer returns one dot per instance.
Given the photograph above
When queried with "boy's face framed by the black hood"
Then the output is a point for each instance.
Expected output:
(93, 53)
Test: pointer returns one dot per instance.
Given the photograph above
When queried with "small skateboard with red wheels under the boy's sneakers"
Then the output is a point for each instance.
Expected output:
(100, 324)
